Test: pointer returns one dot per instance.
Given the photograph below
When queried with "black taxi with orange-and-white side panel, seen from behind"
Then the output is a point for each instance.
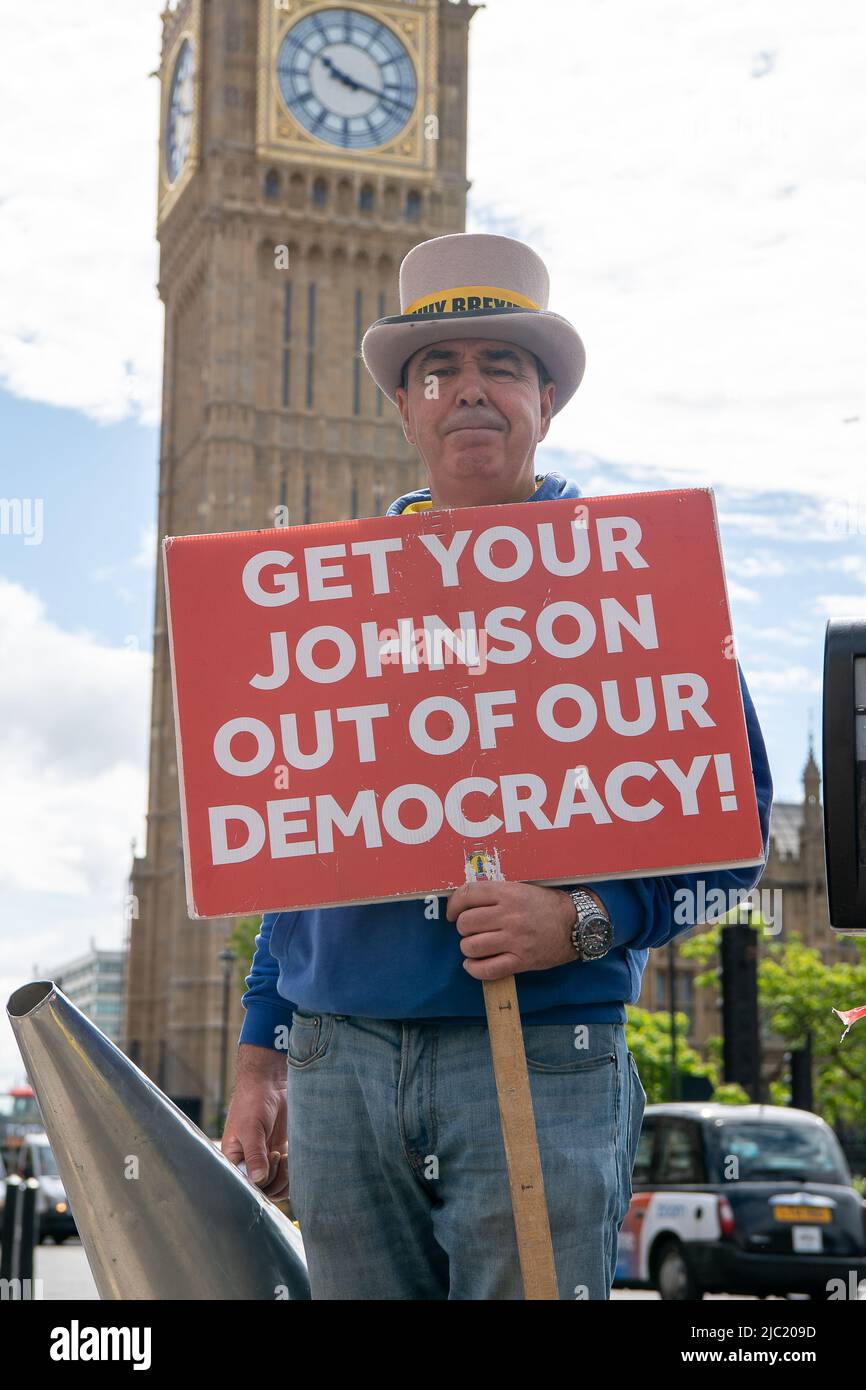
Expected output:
(742, 1199)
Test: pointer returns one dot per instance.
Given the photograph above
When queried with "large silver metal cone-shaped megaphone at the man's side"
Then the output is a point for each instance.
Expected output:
(193, 1227)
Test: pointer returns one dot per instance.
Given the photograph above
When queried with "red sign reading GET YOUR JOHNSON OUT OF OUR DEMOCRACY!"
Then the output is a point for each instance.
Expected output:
(362, 704)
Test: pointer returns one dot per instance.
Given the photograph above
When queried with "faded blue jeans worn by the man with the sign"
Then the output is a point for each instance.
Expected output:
(397, 1164)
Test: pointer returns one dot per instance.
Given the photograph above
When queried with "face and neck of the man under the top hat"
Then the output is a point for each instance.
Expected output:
(475, 412)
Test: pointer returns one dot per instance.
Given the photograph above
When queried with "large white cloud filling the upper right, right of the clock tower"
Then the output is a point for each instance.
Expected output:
(700, 223)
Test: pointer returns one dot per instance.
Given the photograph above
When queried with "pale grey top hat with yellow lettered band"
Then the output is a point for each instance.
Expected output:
(475, 286)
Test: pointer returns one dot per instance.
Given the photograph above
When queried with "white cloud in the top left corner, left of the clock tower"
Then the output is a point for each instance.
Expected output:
(79, 258)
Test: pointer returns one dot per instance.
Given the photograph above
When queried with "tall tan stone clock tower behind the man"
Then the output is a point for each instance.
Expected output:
(305, 148)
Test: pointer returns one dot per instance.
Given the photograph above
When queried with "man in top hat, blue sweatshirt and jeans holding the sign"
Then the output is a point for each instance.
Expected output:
(389, 1136)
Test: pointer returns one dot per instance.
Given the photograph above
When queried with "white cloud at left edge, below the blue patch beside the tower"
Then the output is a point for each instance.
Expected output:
(73, 747)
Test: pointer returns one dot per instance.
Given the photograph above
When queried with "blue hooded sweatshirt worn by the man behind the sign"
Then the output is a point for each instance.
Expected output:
(402, 960)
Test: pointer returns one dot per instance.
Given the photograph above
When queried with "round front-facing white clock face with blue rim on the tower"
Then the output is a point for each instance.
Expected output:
(347, 79)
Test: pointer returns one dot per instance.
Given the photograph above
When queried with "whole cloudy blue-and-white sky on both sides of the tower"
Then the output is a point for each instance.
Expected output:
(693, 176)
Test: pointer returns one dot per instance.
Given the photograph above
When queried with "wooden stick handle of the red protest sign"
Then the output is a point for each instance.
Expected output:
(518, 1120)
